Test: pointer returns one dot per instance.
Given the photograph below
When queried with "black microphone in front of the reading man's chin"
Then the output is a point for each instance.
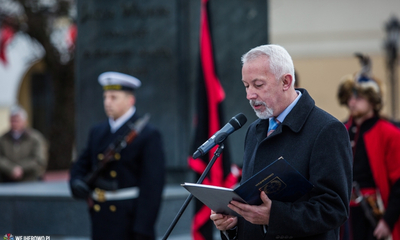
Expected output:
(234, 124)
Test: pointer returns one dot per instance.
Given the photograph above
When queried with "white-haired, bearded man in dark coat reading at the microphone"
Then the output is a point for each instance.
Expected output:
(311, 140)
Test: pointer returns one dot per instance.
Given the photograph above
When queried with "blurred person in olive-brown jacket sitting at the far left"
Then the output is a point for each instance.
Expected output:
(23, 150)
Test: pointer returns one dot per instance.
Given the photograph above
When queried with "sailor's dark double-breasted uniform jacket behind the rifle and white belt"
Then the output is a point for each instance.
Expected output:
(141, 164)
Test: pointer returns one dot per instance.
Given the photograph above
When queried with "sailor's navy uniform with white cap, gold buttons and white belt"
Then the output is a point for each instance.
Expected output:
(126, 197)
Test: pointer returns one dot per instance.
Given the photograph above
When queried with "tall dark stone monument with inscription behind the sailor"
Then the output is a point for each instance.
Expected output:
(157, 41)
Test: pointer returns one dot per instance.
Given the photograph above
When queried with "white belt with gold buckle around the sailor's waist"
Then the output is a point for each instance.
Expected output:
(120, 194)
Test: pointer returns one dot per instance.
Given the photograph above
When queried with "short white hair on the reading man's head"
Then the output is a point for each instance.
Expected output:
(280, 61)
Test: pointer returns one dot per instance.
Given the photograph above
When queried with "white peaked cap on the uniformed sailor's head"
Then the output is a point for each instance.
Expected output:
(118, 81)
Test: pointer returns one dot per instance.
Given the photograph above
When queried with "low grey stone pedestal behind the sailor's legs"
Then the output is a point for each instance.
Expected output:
(47, 209)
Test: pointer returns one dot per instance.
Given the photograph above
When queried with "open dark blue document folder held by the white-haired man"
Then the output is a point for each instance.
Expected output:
(279, 180)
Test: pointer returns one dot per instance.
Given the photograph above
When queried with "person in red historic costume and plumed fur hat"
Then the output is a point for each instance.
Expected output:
(374, 208)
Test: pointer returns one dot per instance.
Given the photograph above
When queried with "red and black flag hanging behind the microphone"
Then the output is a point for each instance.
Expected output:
(208, 120)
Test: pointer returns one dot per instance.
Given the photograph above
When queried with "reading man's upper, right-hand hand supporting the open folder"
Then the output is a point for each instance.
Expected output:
(255, 214)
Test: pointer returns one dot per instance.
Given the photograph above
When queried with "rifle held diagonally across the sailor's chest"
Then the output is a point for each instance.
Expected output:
(112, 153)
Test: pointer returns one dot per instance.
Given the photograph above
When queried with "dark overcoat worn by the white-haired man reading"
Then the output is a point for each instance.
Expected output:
(318, 146)
